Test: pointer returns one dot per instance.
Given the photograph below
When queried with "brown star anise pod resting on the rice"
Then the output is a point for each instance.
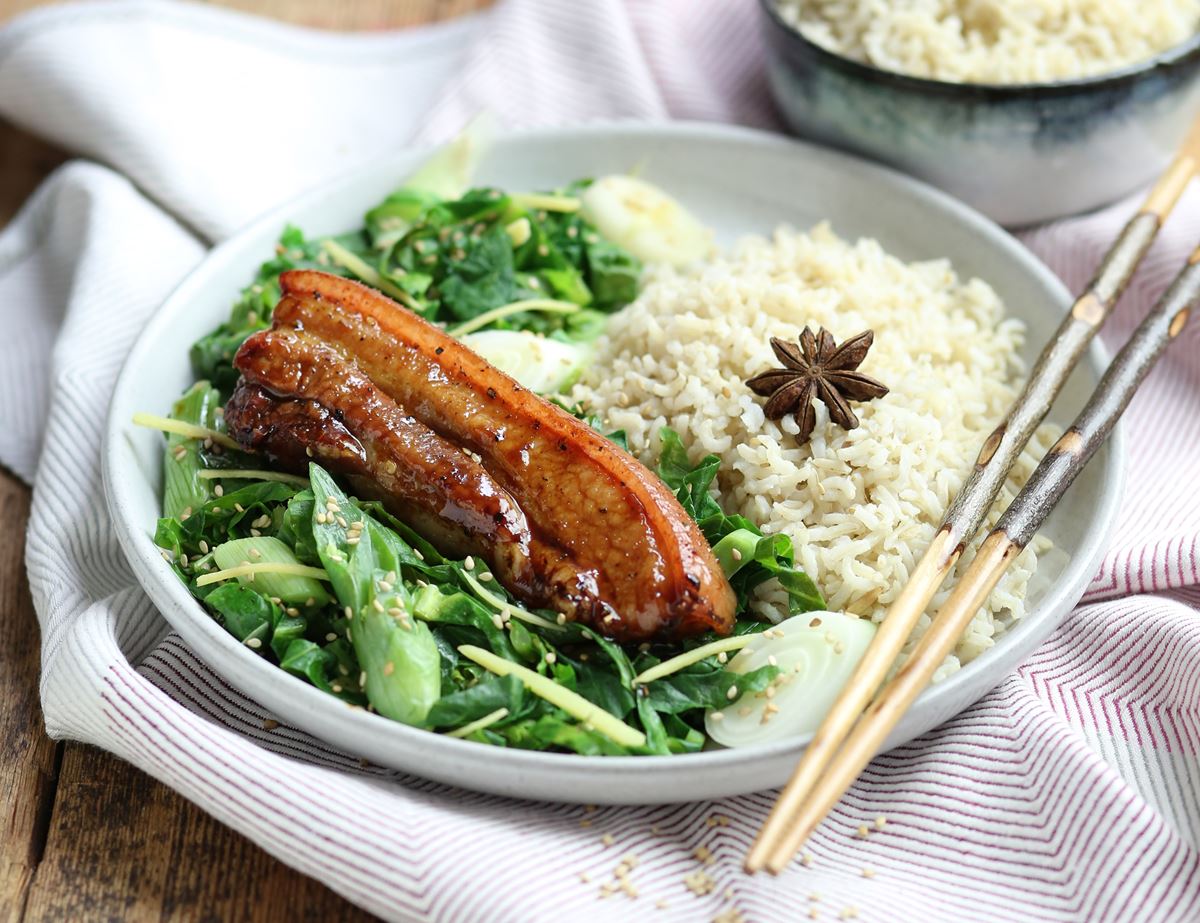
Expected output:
(818, 369)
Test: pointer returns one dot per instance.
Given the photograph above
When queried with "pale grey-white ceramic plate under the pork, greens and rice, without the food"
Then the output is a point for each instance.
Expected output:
(737, 182)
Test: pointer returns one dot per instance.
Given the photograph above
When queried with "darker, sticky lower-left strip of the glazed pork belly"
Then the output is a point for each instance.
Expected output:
(299, 395)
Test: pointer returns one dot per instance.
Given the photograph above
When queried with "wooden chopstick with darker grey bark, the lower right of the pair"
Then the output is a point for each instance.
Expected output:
(1013, 532)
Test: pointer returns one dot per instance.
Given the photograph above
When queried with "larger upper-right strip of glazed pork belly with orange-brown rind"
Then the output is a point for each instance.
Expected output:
(640, 568)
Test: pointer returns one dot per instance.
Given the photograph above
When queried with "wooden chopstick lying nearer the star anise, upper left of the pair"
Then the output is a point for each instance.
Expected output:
(971, 506)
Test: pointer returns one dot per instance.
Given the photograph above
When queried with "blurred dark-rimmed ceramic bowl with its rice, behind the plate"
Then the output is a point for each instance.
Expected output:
(1028, 111)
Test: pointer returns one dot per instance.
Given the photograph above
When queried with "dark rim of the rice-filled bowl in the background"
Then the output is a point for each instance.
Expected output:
(1178, 56)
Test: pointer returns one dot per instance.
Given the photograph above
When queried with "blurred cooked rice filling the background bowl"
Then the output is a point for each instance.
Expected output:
(997, 41)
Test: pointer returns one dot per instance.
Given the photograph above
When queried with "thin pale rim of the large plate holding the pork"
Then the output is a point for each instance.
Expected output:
(177, 604)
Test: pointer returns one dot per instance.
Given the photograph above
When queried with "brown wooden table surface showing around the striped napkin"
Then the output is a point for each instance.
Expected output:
(85, 836)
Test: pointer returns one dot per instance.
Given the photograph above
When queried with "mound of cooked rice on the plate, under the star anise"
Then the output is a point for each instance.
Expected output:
(860, 506)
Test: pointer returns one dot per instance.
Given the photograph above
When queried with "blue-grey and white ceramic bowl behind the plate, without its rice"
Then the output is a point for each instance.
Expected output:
(1022, 153)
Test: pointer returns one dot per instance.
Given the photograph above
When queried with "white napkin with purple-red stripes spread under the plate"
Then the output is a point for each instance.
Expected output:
(1071, 793)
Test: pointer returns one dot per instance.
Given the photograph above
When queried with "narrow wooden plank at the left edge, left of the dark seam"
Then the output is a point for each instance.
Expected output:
(28, 758)
